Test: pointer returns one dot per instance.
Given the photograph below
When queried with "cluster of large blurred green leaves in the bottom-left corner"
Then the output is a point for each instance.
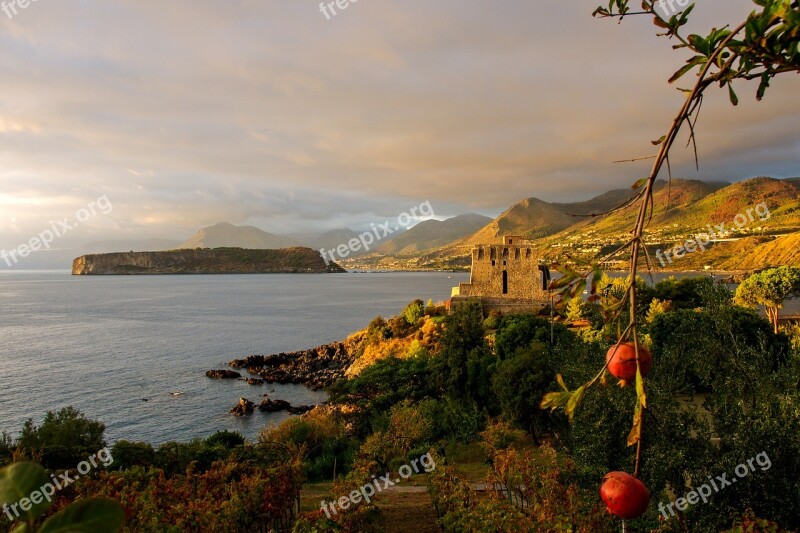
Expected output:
(19, 481)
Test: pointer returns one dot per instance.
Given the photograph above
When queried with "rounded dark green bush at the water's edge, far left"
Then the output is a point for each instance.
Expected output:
(64, 439)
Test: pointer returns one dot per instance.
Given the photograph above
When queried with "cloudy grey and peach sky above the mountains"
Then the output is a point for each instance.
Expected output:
(265, 112)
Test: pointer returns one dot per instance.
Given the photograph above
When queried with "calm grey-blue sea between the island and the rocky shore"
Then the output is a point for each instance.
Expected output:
(103, 344)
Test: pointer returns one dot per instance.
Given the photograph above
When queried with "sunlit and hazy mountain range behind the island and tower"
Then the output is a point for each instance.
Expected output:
(681, 208)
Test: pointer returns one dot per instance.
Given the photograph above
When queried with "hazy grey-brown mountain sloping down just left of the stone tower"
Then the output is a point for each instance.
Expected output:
(431, 234)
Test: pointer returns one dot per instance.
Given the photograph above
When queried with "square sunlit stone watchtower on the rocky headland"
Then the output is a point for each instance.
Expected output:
(506, 277)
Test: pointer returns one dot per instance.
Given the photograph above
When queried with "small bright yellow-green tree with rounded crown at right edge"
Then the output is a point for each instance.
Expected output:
(770, 288)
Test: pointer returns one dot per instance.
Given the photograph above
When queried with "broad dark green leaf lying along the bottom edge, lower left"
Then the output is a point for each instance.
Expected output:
(94, 515)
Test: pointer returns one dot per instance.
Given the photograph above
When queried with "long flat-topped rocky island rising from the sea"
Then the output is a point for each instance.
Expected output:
(205, 261)
